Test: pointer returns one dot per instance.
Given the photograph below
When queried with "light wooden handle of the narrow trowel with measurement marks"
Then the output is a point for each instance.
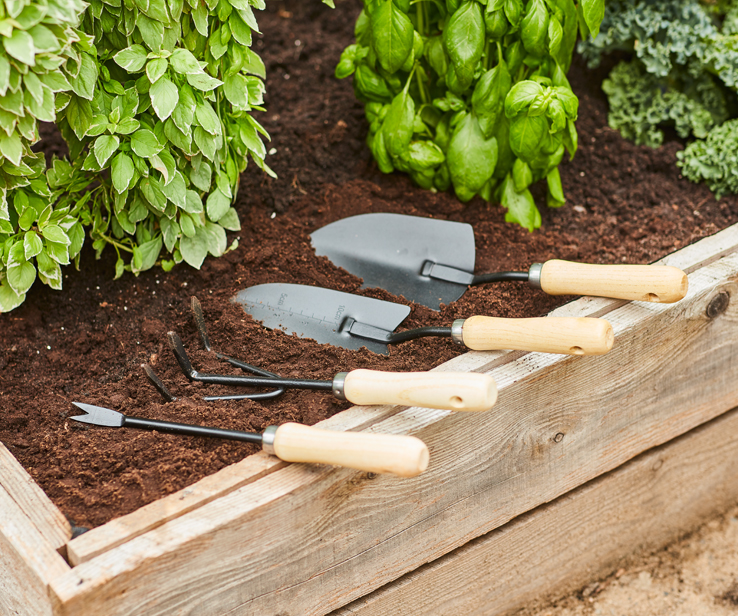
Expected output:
(567, 335)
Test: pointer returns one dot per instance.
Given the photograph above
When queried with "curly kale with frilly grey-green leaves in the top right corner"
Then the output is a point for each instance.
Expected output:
(684, 74)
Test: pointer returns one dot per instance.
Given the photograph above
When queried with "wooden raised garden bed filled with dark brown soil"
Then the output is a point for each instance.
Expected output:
(261, 536)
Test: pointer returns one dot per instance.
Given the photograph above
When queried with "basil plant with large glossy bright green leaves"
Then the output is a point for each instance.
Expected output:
(471, 94)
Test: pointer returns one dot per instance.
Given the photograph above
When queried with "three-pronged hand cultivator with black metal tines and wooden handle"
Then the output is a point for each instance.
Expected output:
(457, 391)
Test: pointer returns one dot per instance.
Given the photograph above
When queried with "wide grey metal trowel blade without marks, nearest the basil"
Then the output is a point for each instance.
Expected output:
(389, 251)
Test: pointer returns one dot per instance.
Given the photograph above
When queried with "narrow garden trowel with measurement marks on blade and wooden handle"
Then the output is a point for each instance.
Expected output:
(353, 321)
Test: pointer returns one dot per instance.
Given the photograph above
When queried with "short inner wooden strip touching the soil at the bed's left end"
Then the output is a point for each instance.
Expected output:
(32, 500)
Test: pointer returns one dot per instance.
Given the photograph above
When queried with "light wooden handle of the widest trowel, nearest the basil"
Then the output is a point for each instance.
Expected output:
(645, 283)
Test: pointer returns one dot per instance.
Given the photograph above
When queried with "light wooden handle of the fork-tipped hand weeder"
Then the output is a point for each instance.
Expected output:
(405, 456)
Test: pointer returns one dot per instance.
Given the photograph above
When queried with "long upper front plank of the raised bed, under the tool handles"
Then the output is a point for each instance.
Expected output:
(308, 539)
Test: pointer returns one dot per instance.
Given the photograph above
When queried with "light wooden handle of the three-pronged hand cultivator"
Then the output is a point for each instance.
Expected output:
(456, 391)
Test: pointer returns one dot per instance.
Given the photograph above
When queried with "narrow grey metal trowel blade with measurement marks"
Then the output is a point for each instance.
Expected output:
(321, 314)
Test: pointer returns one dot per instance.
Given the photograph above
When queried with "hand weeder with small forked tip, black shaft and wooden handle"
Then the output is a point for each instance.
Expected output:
(406, 456)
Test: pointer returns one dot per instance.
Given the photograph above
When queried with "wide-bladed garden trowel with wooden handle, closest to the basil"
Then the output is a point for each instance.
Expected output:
(431, 262)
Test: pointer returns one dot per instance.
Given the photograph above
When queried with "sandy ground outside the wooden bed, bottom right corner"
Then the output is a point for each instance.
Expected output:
(697, 576)
